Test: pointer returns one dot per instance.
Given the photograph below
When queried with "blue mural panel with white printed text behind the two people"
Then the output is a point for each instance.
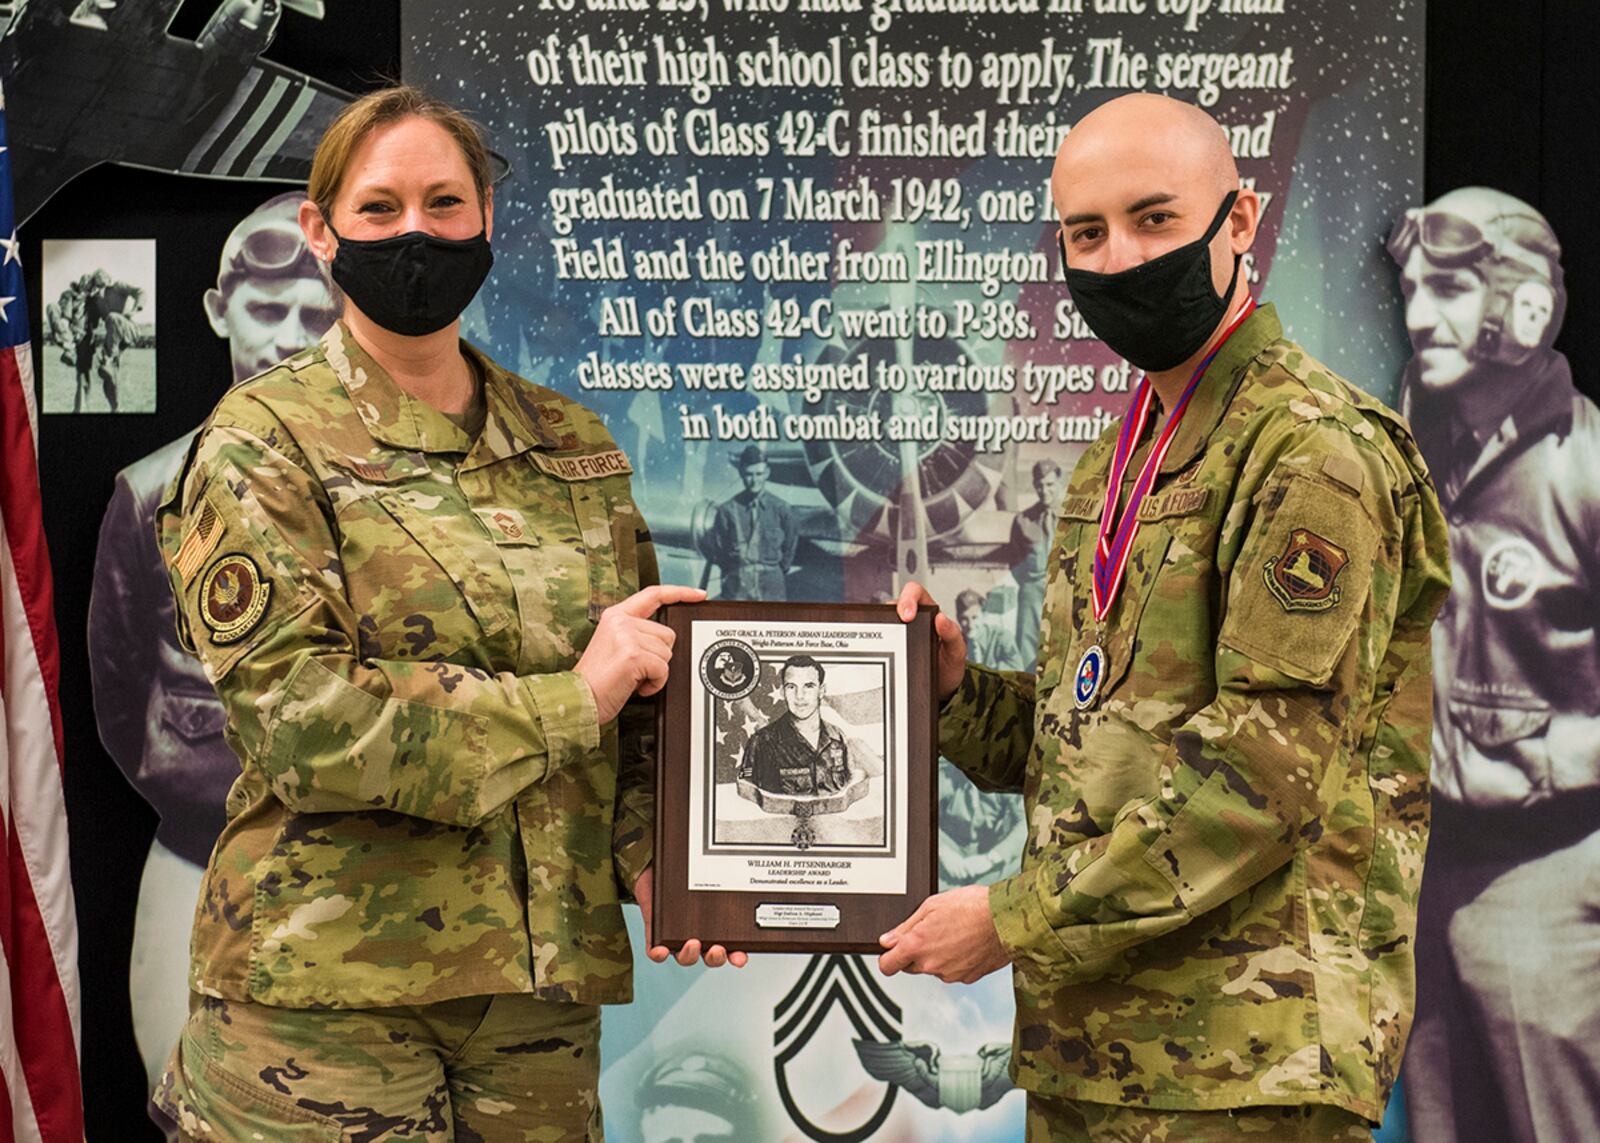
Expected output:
(807, 260)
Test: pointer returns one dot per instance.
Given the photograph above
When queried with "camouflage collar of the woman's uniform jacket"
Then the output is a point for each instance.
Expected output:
(514, 422)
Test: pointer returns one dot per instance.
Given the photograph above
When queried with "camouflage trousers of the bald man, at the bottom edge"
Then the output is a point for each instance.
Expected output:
(1073, 1121)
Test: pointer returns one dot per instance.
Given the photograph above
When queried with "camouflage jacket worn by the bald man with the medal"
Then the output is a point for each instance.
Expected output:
(1218, 891)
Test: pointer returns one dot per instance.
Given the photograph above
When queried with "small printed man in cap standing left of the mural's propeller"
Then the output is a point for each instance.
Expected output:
(754, 535)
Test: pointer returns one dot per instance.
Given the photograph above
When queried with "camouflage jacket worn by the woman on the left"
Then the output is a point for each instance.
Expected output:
(391, 614)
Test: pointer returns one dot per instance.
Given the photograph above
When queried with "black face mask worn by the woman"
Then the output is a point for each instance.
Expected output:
(415, 283)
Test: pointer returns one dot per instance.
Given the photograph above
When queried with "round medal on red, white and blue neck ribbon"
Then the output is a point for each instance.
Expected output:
(1118, 532)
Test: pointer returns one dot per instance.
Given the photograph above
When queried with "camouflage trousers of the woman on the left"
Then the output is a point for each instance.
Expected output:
(476, 1070)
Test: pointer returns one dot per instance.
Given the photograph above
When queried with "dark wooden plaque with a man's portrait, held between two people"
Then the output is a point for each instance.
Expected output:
(796, 779)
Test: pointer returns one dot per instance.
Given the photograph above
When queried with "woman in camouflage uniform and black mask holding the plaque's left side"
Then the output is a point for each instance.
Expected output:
(422, 590)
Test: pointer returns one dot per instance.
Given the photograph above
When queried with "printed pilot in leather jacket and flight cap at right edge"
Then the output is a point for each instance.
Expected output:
(1508, 1032)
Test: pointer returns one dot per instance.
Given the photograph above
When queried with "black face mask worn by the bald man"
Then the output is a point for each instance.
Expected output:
(1156, 315)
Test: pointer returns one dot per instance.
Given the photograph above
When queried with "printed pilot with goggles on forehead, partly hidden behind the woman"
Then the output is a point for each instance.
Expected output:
(158, 715)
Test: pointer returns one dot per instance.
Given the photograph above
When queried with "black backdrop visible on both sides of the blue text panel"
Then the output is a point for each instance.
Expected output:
(1511, 103)
